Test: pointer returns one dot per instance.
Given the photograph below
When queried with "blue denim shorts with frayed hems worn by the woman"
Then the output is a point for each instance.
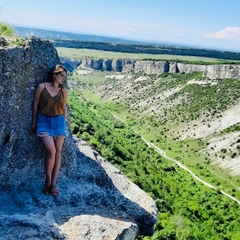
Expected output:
(51, 126)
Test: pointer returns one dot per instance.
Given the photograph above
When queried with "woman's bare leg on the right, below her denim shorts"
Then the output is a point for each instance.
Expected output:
(58, 141)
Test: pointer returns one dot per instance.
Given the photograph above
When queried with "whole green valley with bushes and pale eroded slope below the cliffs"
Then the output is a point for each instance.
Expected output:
(178, 113)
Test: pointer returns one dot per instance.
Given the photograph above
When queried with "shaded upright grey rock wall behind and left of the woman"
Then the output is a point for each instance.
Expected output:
(22, 68)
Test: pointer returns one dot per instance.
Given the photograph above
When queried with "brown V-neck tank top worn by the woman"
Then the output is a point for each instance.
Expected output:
(51, 106)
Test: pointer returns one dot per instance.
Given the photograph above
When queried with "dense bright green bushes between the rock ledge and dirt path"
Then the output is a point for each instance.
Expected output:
(188, 209)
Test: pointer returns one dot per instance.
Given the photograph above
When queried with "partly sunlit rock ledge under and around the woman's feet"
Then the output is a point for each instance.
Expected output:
(96, 200)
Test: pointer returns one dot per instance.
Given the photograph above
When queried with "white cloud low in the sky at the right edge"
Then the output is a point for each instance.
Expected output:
(228, 33)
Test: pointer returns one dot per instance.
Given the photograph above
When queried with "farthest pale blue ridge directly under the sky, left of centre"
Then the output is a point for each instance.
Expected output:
(49, 34)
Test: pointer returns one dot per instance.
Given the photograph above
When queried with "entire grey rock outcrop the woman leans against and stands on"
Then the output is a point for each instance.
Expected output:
(96, 200)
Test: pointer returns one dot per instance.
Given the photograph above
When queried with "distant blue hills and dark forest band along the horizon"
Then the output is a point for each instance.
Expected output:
(72, 40)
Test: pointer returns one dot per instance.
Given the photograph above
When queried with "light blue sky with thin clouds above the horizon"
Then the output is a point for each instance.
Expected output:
(211, 24)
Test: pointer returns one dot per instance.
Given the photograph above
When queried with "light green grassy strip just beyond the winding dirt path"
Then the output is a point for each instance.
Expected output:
(187, 151)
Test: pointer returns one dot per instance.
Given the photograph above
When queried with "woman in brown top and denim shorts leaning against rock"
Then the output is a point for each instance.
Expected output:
(49, 122)
